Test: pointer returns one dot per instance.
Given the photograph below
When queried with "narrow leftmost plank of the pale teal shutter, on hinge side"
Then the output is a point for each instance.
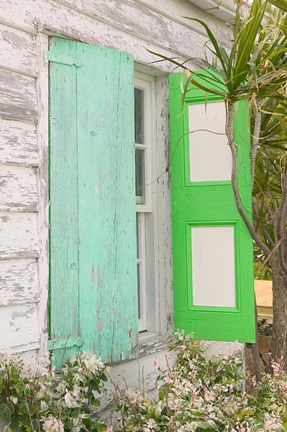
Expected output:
(64, 318)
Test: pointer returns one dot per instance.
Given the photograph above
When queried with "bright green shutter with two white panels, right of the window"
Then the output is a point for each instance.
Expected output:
(212, 249)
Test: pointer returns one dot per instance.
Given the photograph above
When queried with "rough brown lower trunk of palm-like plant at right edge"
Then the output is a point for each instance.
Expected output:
(279, 332)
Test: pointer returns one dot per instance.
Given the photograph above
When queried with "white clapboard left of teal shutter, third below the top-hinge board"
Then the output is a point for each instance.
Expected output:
(18, 189)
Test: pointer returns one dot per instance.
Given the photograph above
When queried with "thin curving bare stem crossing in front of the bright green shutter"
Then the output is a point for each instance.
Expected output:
(238, 202)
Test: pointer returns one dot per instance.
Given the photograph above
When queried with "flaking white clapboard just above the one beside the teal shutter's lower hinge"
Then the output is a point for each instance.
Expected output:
(18, 282)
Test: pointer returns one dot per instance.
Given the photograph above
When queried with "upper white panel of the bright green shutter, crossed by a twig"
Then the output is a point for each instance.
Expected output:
(209, 154)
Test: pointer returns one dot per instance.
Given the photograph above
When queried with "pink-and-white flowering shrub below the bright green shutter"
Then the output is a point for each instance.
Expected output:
(201, 393)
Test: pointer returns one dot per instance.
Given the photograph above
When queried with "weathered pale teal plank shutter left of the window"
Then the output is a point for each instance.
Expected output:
(93, 289)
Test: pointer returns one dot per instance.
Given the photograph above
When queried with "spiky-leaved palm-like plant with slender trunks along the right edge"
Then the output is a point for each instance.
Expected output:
(255, 70)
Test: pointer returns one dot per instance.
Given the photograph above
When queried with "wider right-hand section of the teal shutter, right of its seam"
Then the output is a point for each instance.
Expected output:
(107, 253)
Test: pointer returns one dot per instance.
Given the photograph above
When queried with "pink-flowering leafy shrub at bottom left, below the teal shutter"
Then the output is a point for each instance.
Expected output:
(41, 400)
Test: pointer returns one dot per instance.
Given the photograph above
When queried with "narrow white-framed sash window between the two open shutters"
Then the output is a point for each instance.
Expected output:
(144, 143)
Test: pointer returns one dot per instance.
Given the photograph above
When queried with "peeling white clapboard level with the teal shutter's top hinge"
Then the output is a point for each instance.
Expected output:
(18, 51)
